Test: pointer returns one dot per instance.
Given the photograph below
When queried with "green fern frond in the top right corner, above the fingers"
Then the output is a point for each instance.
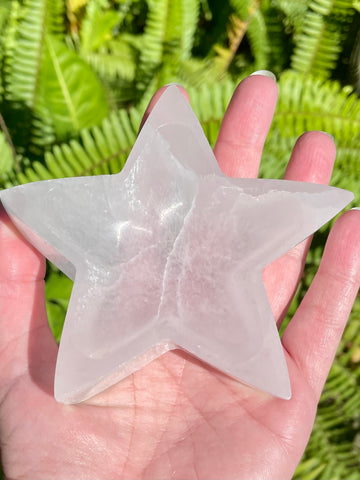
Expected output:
(320, 41)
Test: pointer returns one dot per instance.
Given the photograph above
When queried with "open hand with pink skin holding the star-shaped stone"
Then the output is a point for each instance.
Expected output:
(177, 418)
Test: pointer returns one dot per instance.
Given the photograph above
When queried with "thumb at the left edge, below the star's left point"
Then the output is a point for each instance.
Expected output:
(22, 307)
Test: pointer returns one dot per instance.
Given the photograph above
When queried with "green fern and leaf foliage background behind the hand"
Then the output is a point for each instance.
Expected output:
(75, 78)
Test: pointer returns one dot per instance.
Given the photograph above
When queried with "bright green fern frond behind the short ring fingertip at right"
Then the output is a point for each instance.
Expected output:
(307, 103)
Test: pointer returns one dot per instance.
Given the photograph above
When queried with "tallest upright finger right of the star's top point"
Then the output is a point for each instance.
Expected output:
(245, 126)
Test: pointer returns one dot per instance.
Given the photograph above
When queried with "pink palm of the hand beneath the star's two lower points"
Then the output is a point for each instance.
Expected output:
(175, 418)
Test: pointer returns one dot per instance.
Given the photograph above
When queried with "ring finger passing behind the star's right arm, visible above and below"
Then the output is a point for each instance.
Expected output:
(312, 160)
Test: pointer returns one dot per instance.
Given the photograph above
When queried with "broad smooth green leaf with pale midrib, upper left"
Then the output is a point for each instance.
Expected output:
(70, 108)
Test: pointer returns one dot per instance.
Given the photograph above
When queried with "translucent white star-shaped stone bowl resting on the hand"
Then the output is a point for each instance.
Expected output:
(168, 254)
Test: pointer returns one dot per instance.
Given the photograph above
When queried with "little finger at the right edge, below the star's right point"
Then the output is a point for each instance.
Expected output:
(313, 335)
